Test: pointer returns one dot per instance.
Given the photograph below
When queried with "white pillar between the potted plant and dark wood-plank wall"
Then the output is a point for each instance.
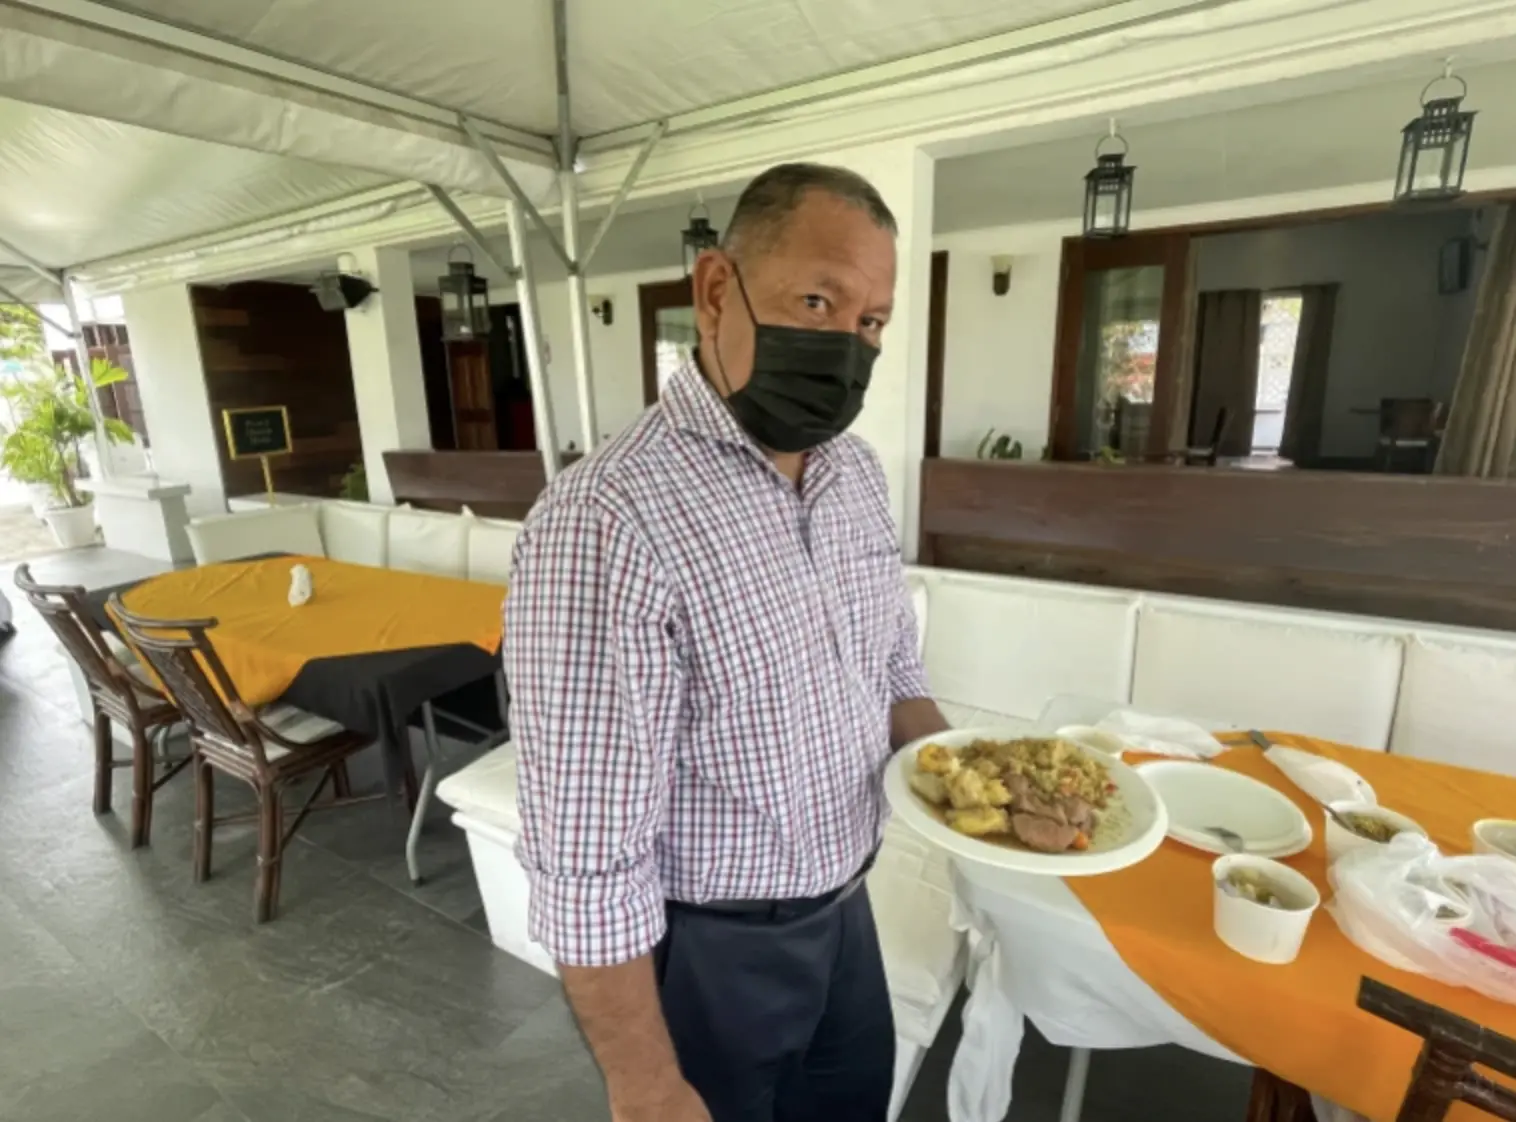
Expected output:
(177, 406)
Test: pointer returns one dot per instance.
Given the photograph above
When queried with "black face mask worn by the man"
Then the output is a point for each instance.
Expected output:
(806, 387)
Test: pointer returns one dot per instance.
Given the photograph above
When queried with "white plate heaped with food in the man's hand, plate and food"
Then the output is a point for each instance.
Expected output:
(1030, 804)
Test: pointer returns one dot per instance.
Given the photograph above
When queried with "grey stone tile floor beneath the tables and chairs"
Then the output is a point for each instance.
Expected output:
(128, 992)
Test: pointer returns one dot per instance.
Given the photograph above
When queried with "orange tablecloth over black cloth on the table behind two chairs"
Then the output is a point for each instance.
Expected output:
(356, 610)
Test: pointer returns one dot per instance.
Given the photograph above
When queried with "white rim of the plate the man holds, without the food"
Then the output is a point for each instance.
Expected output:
(1144, 832)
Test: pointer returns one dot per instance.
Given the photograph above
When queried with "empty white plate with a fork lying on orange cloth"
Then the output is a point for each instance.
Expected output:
(1203, 795)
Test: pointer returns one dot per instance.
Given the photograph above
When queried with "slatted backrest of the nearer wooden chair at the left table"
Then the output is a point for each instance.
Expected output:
(181, 656)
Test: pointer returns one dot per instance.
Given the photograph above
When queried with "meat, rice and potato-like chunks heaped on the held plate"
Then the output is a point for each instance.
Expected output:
(1044, 794)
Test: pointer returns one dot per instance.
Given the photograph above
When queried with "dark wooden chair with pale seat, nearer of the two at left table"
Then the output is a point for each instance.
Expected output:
(271, 751)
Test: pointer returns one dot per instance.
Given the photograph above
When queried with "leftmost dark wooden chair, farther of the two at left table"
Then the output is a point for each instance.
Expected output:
(119, 692)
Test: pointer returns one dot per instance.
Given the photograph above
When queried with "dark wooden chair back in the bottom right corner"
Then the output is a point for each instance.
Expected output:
(1444, 1074)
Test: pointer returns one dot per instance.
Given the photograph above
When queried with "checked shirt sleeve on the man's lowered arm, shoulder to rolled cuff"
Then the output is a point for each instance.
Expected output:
(595, 701)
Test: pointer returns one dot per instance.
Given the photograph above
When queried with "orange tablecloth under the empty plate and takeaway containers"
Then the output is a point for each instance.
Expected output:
(1300, 1021)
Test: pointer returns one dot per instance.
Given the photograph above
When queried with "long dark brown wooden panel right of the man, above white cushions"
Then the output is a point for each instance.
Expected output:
(1420, 548)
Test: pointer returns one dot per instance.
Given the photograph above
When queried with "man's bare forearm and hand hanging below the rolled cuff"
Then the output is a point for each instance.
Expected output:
(621, 1017)
